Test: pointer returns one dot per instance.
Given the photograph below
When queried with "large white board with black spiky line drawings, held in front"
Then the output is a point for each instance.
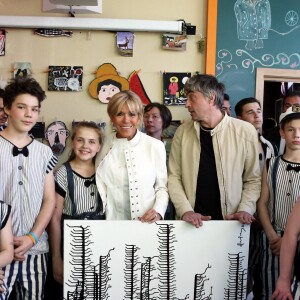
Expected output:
(163, 260)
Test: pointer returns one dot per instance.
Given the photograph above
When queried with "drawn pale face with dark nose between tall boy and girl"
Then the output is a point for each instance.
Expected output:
(56, 134)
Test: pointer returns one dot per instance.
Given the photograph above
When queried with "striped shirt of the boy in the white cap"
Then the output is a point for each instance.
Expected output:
(287, 192)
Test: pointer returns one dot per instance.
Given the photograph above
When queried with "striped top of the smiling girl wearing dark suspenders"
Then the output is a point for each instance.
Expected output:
(85, 191)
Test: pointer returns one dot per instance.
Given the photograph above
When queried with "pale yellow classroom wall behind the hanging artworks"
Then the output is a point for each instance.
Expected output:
(22, 45)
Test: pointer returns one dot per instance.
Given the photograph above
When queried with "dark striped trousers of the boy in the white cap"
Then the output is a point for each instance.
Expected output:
(270, 268)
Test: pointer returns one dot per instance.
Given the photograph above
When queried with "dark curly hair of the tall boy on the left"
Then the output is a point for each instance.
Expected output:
(20, 86)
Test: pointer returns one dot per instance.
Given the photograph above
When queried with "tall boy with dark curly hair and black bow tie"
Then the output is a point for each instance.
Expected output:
(27, 185)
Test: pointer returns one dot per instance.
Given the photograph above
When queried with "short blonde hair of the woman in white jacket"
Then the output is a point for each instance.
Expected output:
(130, 98)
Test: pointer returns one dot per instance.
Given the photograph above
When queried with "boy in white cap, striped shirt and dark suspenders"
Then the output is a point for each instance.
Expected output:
(280, 190)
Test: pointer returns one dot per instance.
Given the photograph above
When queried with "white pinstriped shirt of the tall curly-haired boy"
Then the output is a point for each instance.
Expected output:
(22, 186)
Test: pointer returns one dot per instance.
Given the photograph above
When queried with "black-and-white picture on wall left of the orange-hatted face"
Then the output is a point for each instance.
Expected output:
(65, 78)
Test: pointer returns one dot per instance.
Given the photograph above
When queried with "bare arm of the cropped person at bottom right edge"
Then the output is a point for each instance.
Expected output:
(287, 254)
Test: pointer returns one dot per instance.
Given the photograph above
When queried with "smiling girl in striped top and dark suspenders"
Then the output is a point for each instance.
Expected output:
(76, 192)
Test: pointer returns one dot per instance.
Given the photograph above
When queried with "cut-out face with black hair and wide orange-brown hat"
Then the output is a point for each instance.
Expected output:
(107, 83)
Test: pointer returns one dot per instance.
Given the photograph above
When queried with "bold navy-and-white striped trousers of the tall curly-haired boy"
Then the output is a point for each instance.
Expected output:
(28, 276)
